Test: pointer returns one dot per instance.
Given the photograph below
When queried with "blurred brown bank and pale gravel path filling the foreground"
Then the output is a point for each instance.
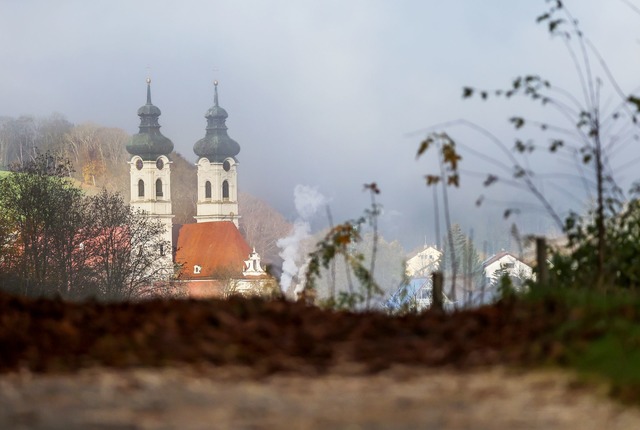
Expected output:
(251, 364)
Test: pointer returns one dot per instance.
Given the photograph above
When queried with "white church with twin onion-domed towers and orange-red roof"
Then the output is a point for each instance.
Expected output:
(210, 256)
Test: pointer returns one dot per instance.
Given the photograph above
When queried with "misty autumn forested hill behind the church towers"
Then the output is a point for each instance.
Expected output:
(99, 160)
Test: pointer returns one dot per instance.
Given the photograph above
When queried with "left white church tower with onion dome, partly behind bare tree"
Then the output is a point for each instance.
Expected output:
(150, 170)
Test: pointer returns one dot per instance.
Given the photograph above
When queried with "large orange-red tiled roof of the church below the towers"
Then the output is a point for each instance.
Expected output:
(218, 247)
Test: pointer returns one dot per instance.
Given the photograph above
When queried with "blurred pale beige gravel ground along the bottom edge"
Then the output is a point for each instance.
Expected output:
(228, 398)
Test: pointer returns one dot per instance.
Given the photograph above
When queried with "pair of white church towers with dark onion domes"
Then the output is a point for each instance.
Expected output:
(150, 169)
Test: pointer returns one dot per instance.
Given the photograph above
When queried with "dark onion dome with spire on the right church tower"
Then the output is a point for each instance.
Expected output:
(216, 145)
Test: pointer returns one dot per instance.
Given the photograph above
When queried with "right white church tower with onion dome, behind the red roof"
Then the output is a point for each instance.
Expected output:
(217, 169)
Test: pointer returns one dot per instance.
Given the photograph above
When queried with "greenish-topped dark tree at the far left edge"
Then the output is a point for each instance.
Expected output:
(45, 216)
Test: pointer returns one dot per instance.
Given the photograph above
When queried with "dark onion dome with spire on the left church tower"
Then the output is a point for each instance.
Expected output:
(149, 143)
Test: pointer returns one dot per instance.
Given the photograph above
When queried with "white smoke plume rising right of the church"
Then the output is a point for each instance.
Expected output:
(307, 201)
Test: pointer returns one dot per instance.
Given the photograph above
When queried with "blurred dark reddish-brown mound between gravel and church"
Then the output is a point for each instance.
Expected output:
(45, 335)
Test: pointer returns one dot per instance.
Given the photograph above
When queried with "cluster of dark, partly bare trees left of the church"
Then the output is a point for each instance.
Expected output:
(54, 240)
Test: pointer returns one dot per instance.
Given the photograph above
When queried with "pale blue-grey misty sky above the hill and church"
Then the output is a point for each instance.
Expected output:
(321, 93)
